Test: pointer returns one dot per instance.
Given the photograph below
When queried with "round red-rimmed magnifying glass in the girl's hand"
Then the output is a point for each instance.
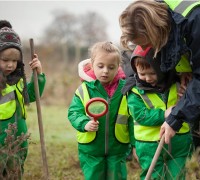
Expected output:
(96, 107)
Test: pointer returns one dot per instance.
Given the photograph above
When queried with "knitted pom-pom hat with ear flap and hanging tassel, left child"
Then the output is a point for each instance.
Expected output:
(10, 39)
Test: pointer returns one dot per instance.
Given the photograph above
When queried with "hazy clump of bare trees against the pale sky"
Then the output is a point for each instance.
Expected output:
(68, 30)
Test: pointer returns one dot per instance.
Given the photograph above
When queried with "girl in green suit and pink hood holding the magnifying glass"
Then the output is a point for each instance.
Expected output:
(102, 144)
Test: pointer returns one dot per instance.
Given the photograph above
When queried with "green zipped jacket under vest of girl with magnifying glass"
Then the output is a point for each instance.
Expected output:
(105, 142)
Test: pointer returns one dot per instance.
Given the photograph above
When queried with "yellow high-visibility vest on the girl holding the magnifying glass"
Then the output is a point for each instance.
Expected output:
(121, 126)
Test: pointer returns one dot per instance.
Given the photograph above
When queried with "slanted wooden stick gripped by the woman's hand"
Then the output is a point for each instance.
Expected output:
(155, 158)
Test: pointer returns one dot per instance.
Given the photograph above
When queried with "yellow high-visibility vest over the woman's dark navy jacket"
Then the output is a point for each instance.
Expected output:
(184, 8)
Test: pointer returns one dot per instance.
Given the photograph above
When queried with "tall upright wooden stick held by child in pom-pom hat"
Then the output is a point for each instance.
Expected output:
(41, 131)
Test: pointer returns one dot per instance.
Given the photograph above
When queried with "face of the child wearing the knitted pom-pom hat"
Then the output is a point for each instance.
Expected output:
(8, 60)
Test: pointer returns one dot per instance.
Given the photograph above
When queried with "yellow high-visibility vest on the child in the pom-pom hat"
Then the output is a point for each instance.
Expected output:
(8, 98)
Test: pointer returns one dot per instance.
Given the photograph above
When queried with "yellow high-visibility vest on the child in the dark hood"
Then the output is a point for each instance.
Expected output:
(152, 100)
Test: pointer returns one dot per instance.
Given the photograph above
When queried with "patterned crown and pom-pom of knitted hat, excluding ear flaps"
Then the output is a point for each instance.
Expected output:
(8, 37)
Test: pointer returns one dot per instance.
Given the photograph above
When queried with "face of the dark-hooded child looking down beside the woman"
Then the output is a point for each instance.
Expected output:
(147, 75)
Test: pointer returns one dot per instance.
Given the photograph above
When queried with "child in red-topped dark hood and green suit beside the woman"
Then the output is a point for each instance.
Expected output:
(150, 102)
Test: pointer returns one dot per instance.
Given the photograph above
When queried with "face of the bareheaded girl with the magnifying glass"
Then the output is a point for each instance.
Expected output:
(105, 67)
